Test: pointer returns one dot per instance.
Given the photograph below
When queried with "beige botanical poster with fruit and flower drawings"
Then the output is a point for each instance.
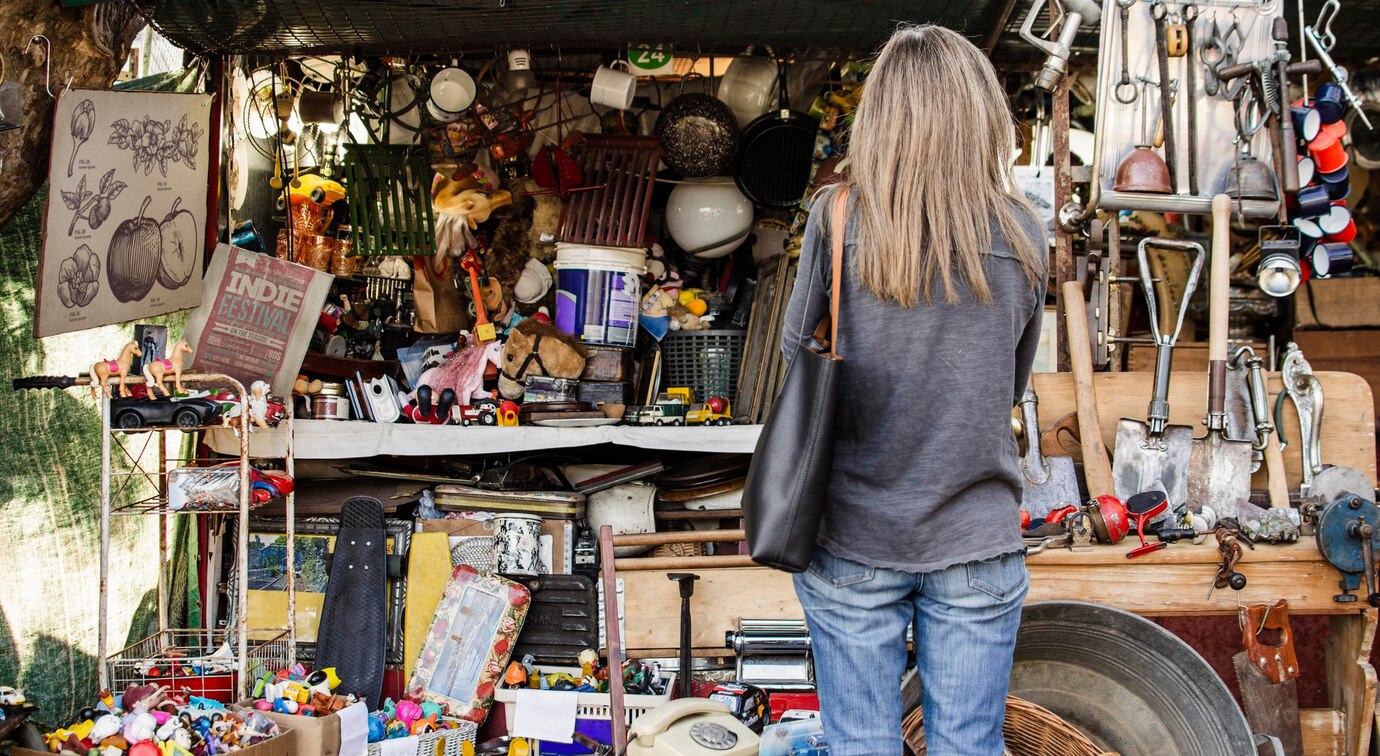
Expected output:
(126, 220)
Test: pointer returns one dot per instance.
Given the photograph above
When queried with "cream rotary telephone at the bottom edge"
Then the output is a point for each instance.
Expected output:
(691, 728)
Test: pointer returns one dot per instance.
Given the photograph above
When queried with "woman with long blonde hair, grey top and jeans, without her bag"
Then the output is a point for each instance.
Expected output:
(939, 318)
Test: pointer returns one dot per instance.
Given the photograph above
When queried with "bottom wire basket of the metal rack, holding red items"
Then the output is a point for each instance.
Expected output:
(201, 661)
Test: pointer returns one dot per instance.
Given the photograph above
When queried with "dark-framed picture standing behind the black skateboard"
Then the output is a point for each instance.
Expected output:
(314, 537)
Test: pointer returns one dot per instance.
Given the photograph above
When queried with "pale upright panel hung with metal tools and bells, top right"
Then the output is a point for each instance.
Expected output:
(1200, 146)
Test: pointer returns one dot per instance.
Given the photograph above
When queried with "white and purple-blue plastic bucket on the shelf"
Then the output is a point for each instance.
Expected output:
(598, 293)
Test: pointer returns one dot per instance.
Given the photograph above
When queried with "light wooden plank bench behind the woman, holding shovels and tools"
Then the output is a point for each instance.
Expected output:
(1168, 583)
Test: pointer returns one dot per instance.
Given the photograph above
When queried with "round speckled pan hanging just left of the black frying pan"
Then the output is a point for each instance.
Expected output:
(699, 135)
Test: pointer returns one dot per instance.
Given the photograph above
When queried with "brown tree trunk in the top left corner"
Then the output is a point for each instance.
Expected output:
(83, 41)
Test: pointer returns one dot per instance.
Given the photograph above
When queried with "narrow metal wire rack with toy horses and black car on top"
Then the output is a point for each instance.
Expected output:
(215, 661)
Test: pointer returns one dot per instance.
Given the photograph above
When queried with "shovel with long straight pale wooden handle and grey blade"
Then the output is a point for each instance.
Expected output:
(1219, 470)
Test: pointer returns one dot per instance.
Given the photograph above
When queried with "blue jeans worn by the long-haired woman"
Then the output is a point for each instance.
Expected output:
(965, 634)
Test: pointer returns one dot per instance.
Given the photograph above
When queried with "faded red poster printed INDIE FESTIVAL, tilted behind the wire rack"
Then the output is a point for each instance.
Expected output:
(257, 318)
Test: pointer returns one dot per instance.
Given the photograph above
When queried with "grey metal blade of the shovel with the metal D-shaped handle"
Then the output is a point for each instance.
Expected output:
(1147, 463)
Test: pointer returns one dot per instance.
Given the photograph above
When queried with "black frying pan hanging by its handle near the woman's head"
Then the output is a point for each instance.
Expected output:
(773, 168)
